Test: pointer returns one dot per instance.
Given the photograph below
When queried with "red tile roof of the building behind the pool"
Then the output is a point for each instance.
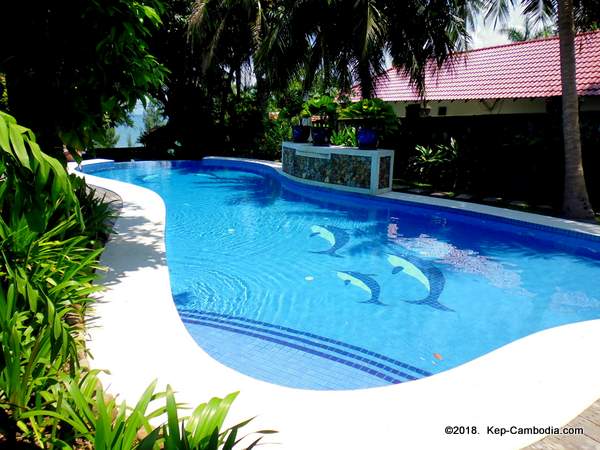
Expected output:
(521, 70)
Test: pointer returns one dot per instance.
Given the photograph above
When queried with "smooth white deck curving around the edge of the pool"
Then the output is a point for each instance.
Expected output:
(543, 379)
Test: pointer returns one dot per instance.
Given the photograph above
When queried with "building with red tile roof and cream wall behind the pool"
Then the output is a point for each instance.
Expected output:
(518, 78)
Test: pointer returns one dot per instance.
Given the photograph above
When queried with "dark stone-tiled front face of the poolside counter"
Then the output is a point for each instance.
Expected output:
(347, 170)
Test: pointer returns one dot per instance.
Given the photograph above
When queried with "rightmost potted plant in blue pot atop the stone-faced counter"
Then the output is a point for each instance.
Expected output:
(375, 117)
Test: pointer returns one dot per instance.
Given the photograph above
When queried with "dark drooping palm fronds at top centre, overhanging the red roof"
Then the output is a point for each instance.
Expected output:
(348, 41)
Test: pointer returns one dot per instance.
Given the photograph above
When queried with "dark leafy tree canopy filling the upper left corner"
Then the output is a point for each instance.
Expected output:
(75, 68)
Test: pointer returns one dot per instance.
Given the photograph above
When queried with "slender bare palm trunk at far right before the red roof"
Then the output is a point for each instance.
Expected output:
(576, 203)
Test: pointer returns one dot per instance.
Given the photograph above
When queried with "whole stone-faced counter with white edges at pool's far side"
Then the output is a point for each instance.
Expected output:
(345, 168)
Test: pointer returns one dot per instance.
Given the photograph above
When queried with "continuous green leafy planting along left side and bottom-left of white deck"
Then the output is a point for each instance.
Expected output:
(50, 225)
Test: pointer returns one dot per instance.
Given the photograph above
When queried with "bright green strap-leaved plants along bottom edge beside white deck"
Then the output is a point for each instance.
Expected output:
(80, 409)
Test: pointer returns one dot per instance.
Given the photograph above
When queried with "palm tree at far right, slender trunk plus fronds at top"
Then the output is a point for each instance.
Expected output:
(563, 13)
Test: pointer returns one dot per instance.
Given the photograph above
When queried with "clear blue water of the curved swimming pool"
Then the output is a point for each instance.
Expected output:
(311, 288)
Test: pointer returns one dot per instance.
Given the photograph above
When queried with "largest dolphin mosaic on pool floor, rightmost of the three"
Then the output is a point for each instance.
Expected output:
(425, 273)
